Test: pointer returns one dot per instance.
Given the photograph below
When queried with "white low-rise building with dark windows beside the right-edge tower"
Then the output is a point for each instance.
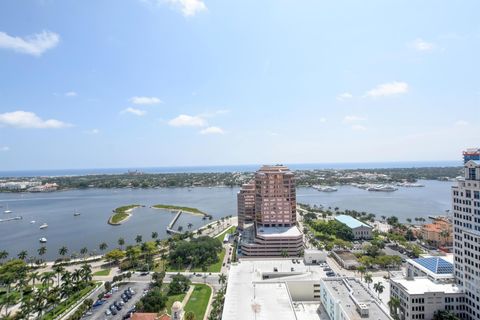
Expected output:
(420, 298)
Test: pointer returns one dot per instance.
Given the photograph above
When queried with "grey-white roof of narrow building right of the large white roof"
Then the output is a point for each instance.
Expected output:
(349, 292)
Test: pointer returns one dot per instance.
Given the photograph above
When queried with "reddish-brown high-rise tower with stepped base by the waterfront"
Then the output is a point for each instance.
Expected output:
(267, 214)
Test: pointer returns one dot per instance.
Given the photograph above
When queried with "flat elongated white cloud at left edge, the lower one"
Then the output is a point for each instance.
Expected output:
(25, 119)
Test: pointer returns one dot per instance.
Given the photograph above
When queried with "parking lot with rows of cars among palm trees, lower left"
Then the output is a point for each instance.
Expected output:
(99, 312)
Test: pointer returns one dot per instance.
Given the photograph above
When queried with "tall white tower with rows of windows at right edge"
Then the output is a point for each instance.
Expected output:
(466, 232)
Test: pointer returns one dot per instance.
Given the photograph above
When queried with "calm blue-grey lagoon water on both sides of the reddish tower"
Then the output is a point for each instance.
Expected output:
(91, 228)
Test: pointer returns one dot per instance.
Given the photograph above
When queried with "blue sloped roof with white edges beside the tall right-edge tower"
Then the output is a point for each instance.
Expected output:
(437, 269)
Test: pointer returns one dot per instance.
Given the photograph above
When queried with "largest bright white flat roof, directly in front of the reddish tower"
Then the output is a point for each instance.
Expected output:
(252, 297)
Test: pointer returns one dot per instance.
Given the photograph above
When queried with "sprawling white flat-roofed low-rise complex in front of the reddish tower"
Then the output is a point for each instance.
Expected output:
(283, 289)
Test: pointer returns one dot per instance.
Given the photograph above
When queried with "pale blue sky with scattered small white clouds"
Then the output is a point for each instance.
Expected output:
(147, 83)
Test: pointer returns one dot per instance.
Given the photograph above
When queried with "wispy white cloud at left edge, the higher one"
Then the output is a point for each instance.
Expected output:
(34, 45)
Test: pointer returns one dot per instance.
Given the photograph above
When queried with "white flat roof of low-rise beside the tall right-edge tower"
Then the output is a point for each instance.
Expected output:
(425, 285)
